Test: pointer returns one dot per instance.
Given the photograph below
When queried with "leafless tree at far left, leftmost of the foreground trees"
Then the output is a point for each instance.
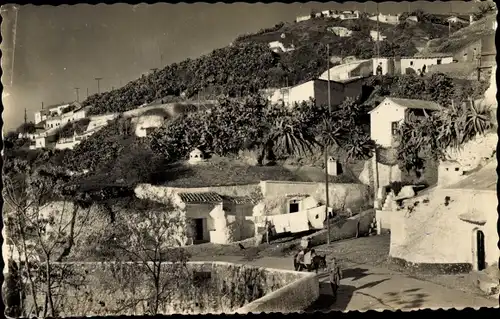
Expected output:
(42, 234)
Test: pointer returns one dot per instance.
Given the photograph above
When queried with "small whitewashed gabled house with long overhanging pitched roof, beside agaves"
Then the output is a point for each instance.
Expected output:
(386, 118)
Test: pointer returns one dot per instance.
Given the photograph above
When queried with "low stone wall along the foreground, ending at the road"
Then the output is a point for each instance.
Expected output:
(193, 288)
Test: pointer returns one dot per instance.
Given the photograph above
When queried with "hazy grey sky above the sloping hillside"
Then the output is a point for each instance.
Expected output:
(60, 48)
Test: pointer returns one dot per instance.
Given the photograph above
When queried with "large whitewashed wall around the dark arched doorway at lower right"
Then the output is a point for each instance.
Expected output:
(434, 233)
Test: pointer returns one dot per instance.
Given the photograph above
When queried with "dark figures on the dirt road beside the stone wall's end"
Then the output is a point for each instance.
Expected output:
(306, 257)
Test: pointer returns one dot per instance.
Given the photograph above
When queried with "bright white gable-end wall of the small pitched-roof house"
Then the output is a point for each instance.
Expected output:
(381, 119)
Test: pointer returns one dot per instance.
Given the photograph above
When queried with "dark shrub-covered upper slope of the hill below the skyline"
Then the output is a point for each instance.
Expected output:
(227, 70)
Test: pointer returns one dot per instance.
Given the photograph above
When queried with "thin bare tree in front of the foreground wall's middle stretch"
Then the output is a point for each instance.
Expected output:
(151, 237)
